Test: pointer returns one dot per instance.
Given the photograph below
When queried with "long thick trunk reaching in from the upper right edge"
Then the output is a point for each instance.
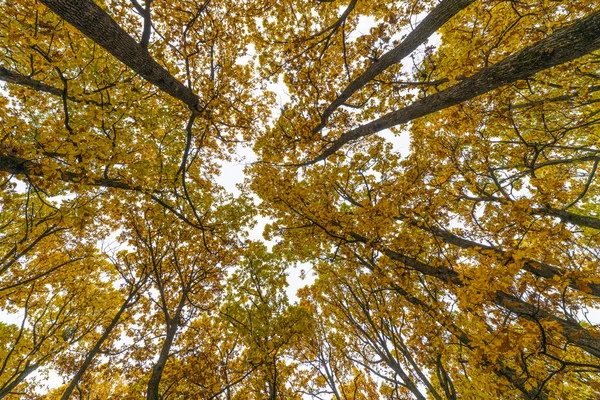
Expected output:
(566, 44)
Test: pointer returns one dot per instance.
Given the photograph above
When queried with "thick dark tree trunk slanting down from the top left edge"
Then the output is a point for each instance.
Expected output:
(95, 23)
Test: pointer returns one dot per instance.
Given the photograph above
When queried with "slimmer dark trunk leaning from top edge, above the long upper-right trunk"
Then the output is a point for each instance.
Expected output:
(432, 22)
